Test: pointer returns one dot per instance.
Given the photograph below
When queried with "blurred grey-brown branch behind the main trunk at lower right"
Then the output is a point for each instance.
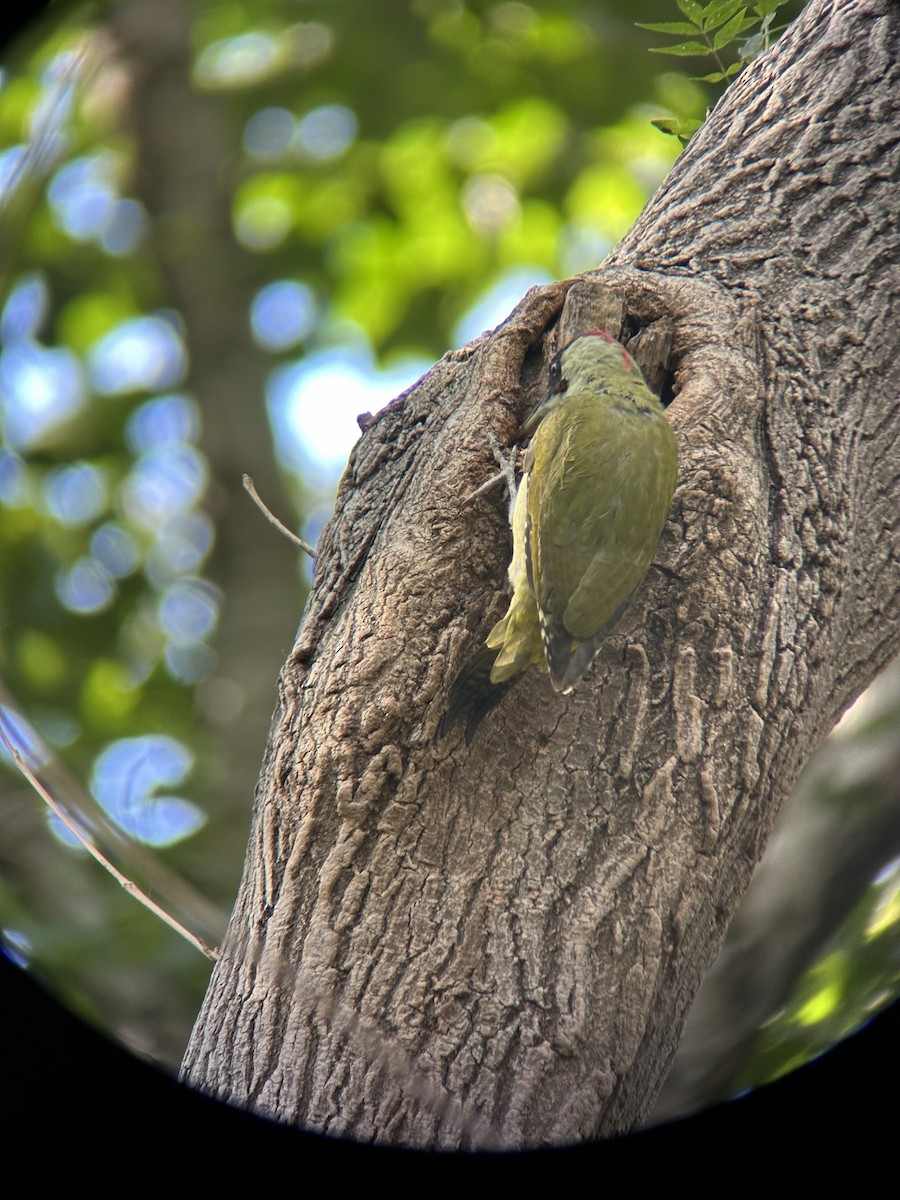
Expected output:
(839, 830)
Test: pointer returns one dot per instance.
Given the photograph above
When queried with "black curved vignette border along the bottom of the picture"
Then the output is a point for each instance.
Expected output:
(87, 1105)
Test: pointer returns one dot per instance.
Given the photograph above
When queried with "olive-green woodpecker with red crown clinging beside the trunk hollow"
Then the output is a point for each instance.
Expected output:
(596, 491)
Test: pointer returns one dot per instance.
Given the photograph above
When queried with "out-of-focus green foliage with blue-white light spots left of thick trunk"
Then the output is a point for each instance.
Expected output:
(398, 176)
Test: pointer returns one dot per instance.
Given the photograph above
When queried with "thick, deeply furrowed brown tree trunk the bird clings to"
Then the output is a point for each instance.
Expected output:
(440, 945)
